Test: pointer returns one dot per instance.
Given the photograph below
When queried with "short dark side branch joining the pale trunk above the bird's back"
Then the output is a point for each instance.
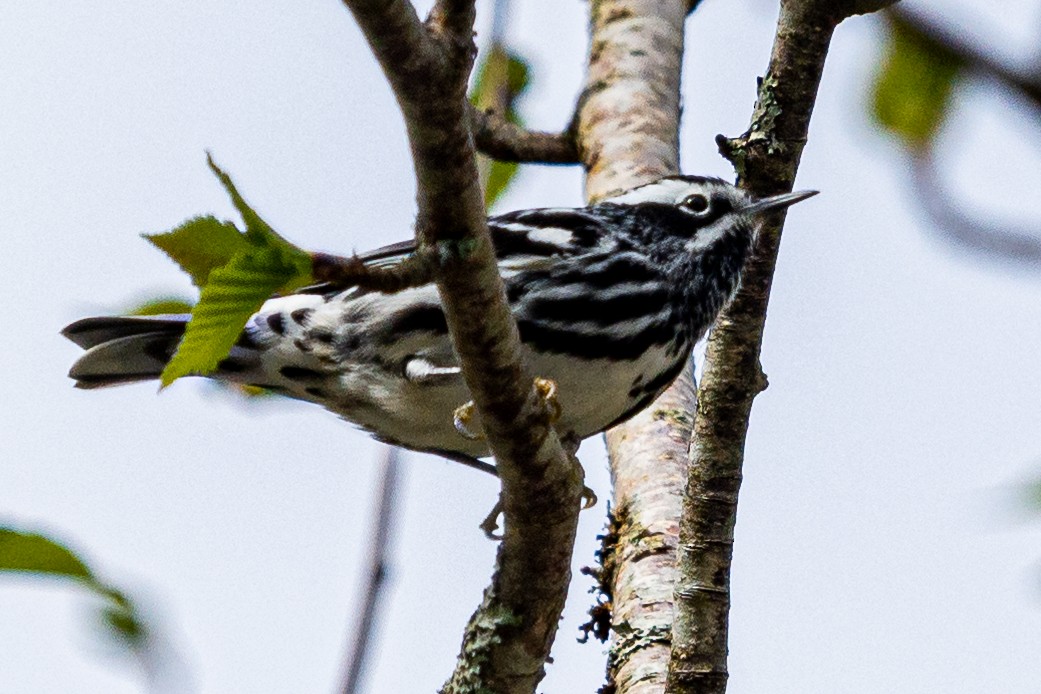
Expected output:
(509, 142)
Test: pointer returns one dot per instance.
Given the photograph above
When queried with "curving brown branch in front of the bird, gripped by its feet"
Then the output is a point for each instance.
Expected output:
(510, 637)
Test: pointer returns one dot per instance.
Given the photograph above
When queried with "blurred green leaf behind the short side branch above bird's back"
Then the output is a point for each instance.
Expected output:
(501, 78)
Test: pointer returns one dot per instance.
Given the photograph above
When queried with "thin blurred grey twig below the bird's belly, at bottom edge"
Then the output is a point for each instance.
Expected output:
(379, 549)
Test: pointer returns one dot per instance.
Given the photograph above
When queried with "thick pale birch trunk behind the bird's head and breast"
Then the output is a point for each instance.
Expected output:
(628, 135)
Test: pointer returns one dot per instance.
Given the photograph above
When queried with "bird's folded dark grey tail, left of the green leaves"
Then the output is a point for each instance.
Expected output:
(123, 349)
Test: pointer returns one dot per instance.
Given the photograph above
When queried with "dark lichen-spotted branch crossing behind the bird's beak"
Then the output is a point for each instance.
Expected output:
(767, 159)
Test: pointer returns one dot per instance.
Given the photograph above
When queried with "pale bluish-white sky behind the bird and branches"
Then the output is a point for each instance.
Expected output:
(881, 543)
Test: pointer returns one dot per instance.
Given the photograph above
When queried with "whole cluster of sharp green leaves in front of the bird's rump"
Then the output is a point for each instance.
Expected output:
(261, 265)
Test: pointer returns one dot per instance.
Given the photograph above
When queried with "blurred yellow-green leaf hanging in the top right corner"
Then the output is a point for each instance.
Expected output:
(913, 89)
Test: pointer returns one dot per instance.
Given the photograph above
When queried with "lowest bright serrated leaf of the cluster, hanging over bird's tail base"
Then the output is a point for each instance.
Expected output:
(232, 296)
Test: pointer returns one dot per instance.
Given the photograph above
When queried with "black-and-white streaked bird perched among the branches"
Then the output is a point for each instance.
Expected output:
(610, 299)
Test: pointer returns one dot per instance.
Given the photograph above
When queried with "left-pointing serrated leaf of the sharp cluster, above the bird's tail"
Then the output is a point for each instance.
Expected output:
(200, 245)
